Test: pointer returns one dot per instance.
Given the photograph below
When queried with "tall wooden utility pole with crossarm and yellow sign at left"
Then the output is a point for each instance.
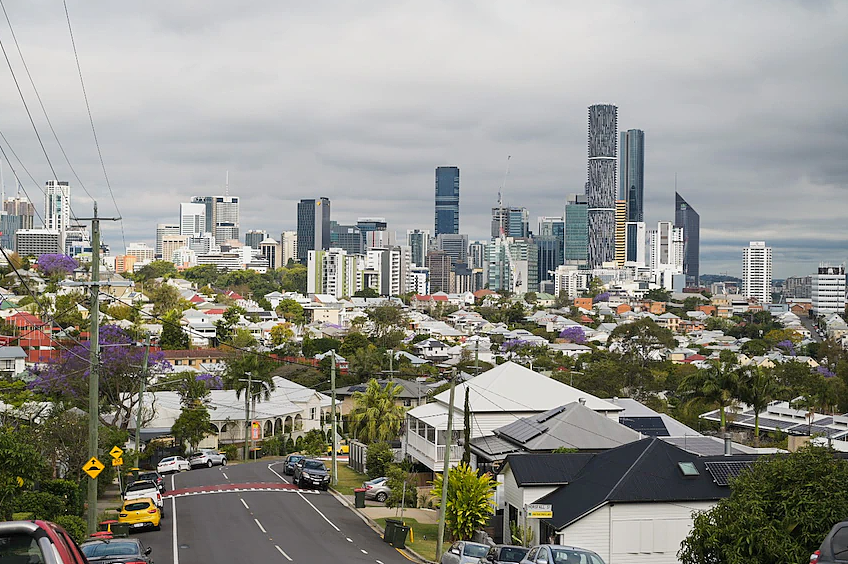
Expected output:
(94, 359)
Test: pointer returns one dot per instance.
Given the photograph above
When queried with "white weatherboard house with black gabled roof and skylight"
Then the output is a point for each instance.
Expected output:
(631, 504)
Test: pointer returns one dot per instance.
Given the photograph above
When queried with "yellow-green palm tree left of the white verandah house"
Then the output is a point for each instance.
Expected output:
(377, 416)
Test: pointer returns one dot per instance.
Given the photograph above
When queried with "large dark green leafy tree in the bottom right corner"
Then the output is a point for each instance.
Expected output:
(778, 511)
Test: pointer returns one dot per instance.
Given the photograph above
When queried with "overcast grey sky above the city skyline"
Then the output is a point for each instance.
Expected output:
(360, 101)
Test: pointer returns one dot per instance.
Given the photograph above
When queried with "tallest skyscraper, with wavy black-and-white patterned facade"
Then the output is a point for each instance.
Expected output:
(600, 190)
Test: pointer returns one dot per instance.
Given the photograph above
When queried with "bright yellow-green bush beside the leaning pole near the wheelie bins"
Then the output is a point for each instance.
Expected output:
(470, 500)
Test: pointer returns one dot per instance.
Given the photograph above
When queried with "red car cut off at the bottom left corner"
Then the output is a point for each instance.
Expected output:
(37, 541)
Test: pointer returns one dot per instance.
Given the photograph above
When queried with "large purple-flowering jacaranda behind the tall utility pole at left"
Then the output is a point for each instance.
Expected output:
(66, 377)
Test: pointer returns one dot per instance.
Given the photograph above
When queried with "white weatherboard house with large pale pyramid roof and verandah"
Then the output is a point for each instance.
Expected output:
(497, 397)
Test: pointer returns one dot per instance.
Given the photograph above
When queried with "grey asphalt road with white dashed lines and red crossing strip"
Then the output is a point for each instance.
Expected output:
(260, 518)
